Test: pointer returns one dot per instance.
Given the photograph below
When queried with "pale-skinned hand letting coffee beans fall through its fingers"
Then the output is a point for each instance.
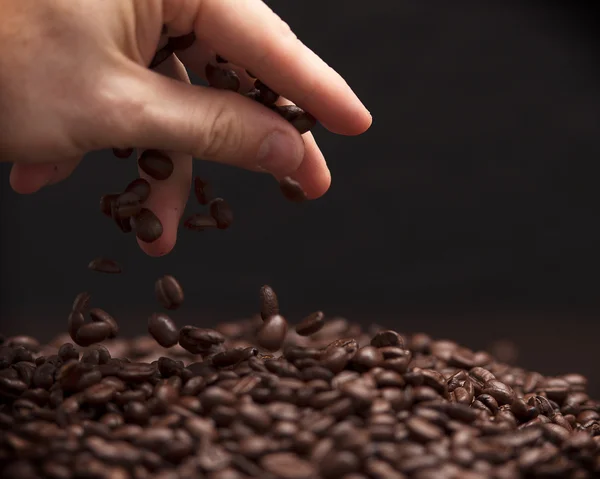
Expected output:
(74, 78)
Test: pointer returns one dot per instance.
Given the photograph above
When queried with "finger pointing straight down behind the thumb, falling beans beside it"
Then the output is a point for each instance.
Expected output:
(168, 197)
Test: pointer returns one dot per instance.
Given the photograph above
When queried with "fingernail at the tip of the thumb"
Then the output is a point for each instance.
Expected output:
(280, 153)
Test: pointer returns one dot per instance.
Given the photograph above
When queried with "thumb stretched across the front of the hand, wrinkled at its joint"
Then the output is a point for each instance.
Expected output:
(211, 124)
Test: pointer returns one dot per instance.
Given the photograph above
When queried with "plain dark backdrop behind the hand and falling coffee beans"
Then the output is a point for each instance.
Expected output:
(469, 211)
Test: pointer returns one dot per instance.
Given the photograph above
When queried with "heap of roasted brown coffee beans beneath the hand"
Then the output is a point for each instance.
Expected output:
(259, 398)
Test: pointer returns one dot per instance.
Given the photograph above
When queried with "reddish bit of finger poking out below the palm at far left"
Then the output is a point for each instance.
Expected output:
(30, 178)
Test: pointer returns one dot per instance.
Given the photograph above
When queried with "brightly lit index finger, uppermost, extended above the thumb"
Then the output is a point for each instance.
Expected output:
(248, 33)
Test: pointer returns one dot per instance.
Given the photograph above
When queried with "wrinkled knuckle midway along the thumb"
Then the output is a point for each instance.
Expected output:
(224, 134)
